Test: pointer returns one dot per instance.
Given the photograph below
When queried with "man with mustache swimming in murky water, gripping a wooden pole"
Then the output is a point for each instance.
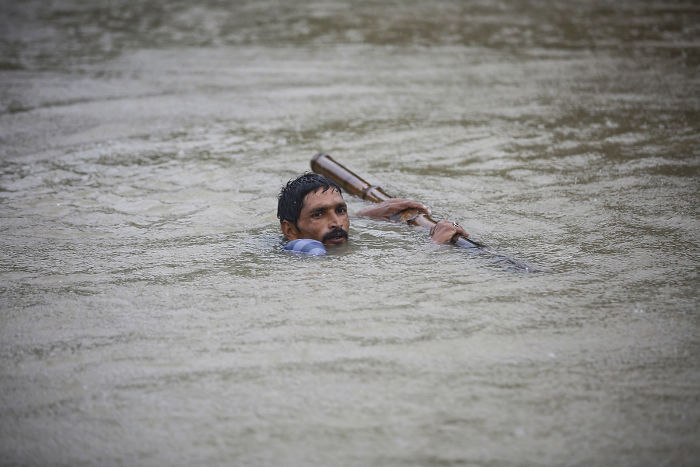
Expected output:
(313, 215)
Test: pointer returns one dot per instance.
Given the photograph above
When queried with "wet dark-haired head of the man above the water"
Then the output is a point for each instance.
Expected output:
(311, 206)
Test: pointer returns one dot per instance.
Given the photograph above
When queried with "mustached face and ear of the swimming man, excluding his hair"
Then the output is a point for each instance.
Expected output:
(323, 217)
